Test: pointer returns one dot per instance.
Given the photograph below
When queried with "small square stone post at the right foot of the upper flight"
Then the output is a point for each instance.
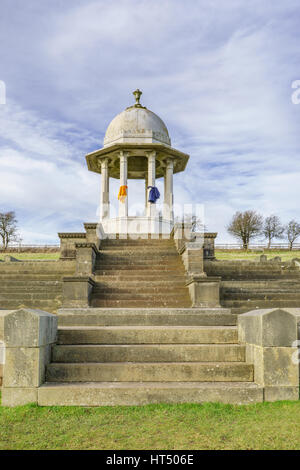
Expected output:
(204, 291)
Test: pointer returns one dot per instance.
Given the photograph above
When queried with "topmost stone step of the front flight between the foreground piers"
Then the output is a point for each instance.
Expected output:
(145, 317)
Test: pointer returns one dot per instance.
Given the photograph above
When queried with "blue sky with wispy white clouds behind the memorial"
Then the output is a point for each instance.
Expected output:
(219, 74)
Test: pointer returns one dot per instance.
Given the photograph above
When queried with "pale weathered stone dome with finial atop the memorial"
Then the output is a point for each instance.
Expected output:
(137, 125)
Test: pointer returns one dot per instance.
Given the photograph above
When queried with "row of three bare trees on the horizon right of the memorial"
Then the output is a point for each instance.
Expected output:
(247, 225)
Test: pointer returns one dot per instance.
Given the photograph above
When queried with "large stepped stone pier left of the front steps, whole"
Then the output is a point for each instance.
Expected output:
(28, 337)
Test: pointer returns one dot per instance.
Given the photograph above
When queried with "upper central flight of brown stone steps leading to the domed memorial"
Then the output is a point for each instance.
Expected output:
(139, 273)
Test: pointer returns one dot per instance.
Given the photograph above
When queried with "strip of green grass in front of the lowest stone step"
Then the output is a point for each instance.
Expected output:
(209, 426)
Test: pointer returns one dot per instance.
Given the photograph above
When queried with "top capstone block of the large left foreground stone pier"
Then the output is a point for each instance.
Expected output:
(29, 328)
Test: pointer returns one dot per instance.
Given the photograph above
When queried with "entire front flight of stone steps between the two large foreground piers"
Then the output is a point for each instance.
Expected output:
(134, 356)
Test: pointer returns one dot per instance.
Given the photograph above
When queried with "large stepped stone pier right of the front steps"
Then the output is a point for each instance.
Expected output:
(270, 337)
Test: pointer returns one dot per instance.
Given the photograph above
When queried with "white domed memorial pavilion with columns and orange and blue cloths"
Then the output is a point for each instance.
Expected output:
(137, 146)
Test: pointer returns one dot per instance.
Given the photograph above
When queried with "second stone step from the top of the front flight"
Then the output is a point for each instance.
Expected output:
(147, 335)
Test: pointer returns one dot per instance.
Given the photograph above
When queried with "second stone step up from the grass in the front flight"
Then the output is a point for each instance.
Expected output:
(150, 372)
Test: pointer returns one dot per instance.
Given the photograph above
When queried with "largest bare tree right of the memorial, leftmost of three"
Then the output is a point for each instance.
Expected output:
(245, 225)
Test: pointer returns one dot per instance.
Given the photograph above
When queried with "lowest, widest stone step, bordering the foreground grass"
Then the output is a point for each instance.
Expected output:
(142, 393)
